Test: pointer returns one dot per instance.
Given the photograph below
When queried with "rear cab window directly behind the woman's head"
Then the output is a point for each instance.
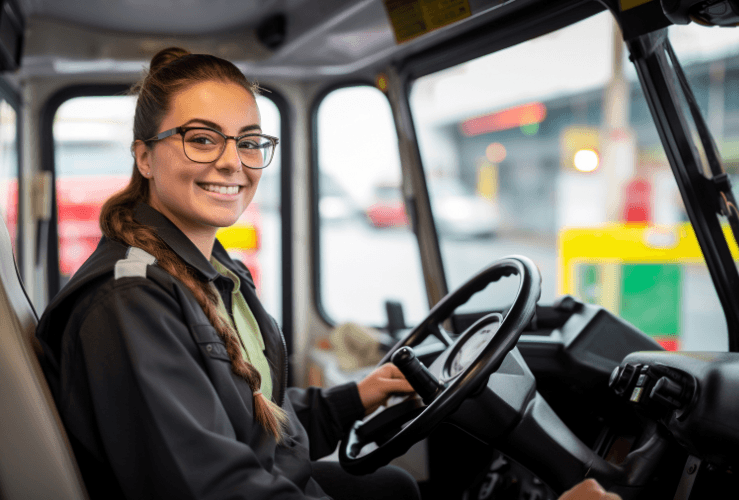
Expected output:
(92, 140)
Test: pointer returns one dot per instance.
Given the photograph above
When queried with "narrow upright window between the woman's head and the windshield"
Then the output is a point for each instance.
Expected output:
(368, 253)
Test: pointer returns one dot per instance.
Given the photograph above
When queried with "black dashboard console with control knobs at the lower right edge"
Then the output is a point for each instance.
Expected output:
(694, 398)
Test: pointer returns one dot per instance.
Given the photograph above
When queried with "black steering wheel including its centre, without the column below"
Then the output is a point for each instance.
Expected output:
(460, 371)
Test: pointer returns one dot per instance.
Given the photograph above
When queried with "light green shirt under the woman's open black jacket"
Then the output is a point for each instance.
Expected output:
(252, 343)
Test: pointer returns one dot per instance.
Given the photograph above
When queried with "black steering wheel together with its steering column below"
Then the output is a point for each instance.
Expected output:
(483, 372)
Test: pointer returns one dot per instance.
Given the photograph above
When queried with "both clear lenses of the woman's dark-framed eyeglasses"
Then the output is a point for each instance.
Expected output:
(206, 146)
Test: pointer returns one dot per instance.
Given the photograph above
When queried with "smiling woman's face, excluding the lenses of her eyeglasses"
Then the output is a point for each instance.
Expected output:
(188, 193)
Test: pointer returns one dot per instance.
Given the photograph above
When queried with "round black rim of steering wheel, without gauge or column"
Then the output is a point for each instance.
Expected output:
(462, 384)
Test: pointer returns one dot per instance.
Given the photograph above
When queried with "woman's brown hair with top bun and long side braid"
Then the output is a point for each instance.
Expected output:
(171, 71)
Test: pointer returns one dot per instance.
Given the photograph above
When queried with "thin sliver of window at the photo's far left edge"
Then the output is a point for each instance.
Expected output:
(9, 171)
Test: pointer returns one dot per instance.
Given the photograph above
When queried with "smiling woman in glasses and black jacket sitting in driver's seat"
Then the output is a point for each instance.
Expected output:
(168, 373)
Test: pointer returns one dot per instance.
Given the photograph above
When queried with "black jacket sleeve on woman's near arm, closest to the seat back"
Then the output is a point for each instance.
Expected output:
(162, 425)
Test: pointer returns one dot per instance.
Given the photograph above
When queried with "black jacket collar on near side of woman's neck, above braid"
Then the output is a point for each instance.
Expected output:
(177, 241)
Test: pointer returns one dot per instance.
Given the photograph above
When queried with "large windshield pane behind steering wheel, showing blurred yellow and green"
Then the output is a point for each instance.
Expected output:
(543, 152)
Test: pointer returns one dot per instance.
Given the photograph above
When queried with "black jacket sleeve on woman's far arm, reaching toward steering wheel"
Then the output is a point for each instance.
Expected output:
(326, 414)
